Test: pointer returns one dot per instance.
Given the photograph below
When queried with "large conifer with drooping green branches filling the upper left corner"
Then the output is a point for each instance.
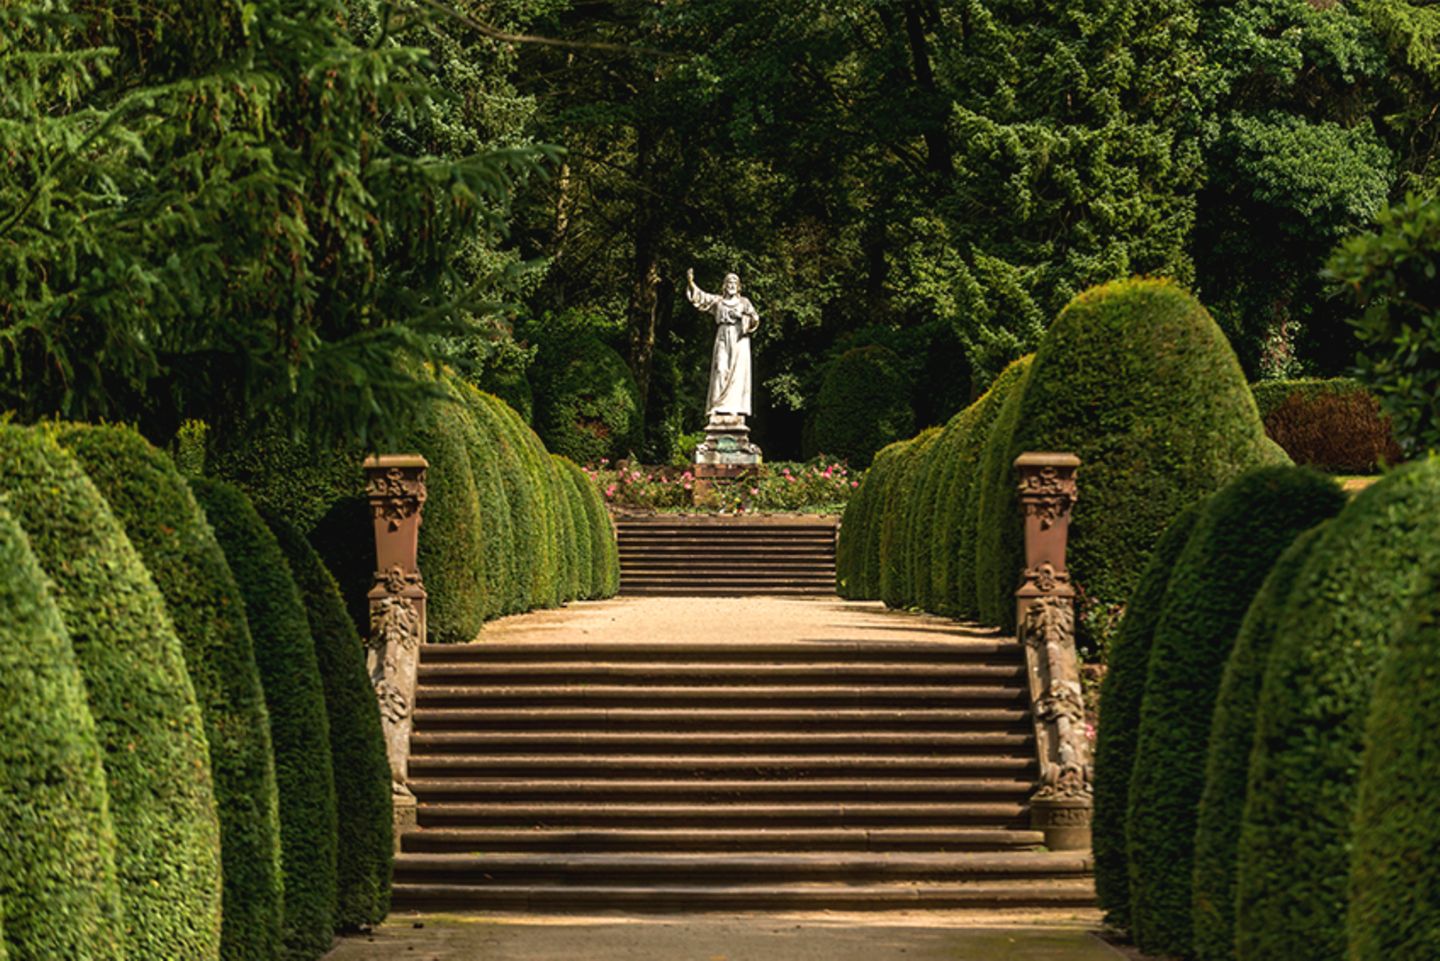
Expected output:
(283, 148)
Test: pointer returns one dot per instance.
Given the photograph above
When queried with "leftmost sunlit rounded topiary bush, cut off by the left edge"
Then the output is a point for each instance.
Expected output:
(57, 846)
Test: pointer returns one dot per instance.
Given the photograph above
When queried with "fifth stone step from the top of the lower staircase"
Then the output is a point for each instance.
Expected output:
(689, 743)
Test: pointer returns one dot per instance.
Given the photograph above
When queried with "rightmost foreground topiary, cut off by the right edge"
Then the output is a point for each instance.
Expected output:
(1395, 882)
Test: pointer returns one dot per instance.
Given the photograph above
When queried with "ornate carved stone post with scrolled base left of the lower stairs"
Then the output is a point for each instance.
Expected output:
(397, 491)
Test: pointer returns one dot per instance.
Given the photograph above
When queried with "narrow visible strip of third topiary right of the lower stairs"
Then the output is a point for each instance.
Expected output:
(1228, 759)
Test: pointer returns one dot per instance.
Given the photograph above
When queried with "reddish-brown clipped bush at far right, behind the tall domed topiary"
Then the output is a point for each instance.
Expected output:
(1334, 426)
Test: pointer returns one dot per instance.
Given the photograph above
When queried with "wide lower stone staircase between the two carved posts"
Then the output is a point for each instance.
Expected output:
(558, 776)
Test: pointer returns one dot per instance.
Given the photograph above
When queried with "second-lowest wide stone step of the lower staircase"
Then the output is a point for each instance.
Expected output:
(624, 868)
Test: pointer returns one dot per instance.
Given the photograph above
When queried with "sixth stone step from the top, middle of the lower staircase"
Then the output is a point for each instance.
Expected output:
(762, 766)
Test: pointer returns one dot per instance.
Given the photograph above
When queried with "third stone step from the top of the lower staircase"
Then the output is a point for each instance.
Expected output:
(728, 695)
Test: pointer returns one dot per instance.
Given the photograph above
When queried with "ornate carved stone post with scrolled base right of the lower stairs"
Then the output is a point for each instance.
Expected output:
(1046, 616)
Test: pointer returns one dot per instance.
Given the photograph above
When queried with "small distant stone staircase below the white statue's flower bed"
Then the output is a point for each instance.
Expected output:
(718, 557)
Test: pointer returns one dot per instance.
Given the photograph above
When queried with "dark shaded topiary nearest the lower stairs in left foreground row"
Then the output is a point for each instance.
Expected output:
(365, 846)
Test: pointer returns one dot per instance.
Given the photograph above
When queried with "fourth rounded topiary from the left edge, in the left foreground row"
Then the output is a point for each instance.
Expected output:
(300, 727)
